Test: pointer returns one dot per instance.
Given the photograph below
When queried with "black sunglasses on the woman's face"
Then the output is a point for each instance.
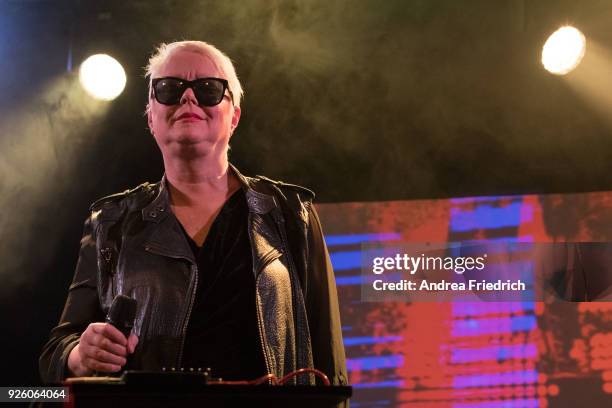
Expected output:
(208, 91)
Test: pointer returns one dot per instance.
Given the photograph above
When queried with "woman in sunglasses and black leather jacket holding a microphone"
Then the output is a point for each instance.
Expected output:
(229, 272)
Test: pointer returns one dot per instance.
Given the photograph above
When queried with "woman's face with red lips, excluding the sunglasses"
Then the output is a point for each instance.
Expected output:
(187, 129)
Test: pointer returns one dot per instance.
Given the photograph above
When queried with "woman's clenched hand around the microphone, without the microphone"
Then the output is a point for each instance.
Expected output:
(102, 347)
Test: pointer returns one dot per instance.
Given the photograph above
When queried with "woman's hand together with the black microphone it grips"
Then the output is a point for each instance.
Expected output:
(105, 346)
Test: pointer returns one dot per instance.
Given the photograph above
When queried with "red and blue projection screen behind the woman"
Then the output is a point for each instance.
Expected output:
(545, 353)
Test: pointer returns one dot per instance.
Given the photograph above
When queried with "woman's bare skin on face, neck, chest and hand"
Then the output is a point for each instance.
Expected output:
(193, 140)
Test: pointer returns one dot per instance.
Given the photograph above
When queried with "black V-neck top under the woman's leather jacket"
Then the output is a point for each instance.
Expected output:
(222, 332)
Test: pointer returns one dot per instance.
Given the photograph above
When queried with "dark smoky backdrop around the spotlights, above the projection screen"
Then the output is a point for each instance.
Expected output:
(358, 100)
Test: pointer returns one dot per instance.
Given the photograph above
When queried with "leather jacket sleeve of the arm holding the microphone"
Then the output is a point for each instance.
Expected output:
(82, 307)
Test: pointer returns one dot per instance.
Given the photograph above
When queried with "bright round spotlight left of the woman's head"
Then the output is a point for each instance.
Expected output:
(102, 76)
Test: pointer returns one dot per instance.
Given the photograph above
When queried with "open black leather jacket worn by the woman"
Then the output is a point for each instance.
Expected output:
(133, 245)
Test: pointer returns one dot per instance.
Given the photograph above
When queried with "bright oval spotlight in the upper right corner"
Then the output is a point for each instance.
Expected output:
(563, 50)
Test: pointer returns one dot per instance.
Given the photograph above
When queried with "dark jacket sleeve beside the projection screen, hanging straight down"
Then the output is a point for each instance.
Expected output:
(322, 307)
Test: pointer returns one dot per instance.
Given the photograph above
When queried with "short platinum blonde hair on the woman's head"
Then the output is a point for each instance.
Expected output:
(221, 61)
